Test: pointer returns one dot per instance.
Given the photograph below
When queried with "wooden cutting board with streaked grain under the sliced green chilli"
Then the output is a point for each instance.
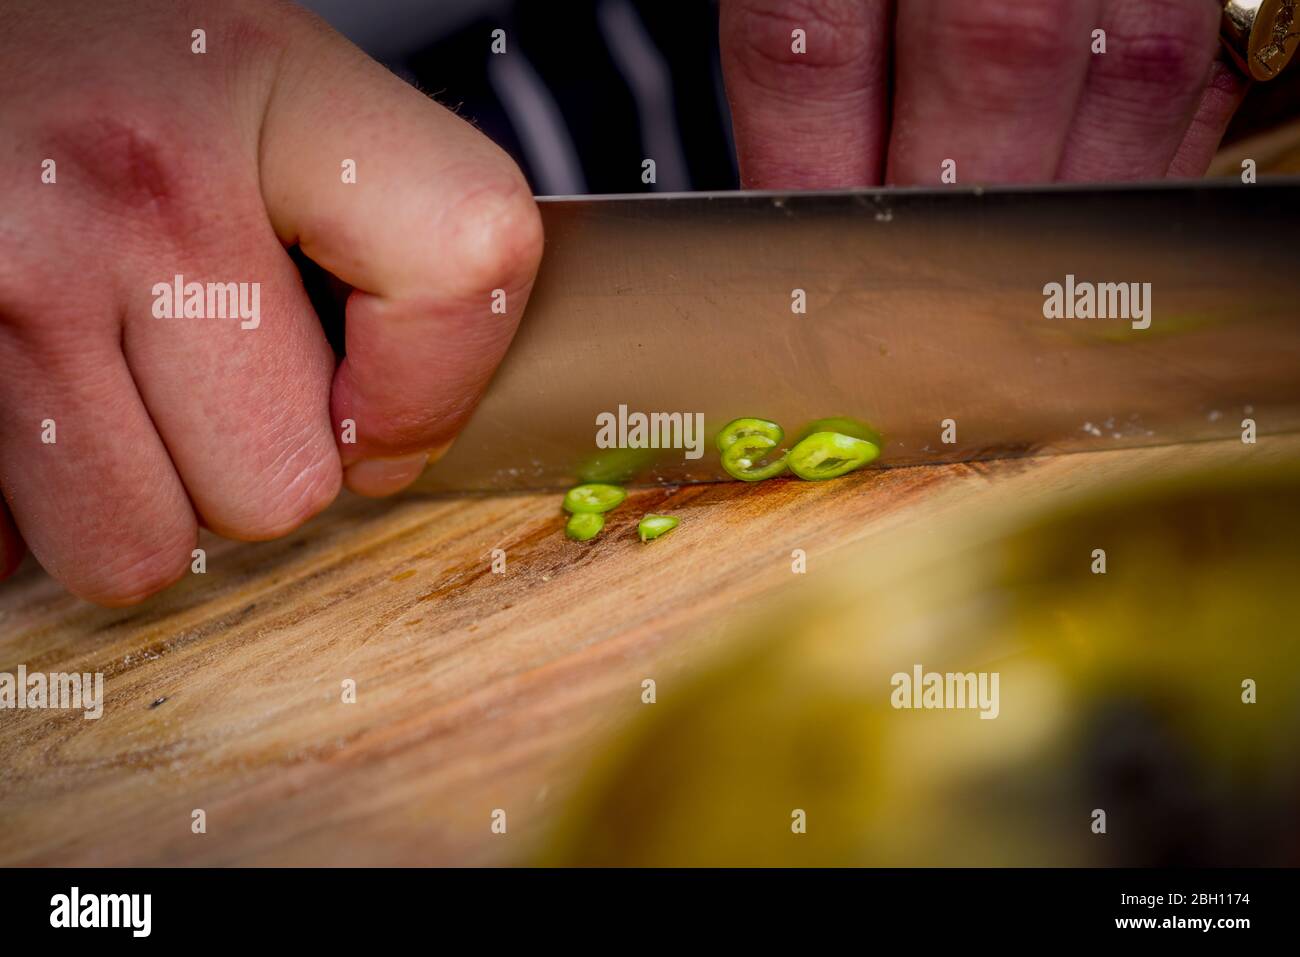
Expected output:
(475, 691)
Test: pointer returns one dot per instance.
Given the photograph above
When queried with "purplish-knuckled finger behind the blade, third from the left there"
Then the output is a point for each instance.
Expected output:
(1142, 94)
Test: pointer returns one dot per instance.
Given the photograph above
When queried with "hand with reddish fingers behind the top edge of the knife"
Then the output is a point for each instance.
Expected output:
(1012, 92)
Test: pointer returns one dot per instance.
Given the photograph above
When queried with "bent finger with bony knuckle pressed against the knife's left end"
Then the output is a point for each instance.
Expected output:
(437, 229)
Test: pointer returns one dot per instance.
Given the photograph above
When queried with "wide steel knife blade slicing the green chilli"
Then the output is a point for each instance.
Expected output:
(956, 323)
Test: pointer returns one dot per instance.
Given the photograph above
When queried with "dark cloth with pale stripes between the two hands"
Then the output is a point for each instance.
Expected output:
(590, 88)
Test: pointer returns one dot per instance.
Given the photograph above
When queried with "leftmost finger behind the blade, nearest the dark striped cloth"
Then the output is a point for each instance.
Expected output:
(809, 111)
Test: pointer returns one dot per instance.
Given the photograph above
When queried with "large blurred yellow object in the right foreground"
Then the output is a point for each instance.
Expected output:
(1126, 692)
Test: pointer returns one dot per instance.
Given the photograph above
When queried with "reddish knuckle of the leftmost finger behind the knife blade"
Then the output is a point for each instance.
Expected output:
(837, 58)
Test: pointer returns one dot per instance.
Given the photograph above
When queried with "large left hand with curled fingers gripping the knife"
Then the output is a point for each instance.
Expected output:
(211, 166)
